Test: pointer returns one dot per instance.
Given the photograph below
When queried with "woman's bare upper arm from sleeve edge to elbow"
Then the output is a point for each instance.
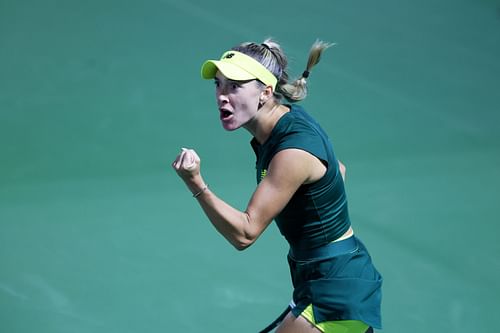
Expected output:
(288, 170)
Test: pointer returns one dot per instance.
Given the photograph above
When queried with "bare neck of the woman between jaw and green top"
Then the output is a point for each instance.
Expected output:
(267, 117)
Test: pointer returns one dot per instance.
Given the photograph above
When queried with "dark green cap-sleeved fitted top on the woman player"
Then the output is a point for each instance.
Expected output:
(317, 213)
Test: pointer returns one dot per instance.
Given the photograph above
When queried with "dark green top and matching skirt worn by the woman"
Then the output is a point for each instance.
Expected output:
(337, 279)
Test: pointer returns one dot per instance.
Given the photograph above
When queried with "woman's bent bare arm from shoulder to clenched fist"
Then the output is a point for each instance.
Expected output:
(289, 169)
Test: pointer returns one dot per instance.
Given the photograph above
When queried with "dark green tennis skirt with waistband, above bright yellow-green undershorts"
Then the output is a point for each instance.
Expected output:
(345, 285)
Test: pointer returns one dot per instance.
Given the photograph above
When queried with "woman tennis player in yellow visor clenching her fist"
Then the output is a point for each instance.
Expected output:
(337, 289)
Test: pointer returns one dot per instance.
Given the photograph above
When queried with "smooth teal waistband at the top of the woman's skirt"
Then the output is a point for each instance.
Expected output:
(332, 249)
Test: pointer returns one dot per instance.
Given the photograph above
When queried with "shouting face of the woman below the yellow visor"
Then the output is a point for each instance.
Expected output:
(238, 101)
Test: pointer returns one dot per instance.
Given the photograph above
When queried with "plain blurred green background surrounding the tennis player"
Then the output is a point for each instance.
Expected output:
(97, 233)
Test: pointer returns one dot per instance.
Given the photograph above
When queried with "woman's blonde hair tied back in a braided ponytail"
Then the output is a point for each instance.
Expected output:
(270, 54)
